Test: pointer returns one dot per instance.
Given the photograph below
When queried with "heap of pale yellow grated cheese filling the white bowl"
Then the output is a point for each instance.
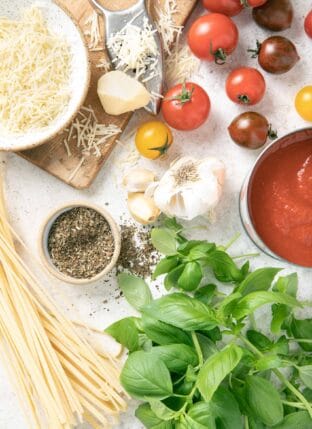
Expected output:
(35, 70)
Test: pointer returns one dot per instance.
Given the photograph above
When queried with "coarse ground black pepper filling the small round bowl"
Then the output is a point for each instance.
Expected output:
(81, 243)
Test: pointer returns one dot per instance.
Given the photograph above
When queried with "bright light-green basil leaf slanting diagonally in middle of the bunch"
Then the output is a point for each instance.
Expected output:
(216, 368)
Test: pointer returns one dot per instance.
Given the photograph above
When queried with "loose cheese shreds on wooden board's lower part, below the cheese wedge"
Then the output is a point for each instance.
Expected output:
(88, 134)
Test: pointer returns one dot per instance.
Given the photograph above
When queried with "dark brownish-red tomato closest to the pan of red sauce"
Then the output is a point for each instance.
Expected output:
(251, 130)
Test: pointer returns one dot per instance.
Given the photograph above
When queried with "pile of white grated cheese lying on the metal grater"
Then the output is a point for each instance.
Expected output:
(135, 49)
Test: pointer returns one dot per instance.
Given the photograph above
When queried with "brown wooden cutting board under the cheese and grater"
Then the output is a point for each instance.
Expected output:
(53, 156)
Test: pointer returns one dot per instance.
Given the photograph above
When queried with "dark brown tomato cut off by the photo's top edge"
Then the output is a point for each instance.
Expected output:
(275, 15)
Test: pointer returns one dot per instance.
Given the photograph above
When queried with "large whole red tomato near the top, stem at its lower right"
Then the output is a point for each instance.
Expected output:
(212, 37)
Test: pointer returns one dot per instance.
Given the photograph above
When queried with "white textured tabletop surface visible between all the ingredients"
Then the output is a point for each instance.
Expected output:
(32, 194)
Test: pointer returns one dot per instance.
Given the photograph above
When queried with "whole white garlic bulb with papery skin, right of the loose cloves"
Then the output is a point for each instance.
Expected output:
(190, 188)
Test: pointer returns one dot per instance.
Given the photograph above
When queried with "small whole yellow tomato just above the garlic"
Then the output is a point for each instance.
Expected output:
(153, 139)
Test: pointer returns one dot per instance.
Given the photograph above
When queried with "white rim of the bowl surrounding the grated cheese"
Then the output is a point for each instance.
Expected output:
(60, 22)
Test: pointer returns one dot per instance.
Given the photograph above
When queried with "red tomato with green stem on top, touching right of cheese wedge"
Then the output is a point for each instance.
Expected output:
(186, 106)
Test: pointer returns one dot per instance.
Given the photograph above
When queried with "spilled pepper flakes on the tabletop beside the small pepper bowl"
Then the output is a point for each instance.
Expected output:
(137, 255)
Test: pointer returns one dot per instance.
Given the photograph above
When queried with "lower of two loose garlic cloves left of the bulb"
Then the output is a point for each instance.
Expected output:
(142, 208)
